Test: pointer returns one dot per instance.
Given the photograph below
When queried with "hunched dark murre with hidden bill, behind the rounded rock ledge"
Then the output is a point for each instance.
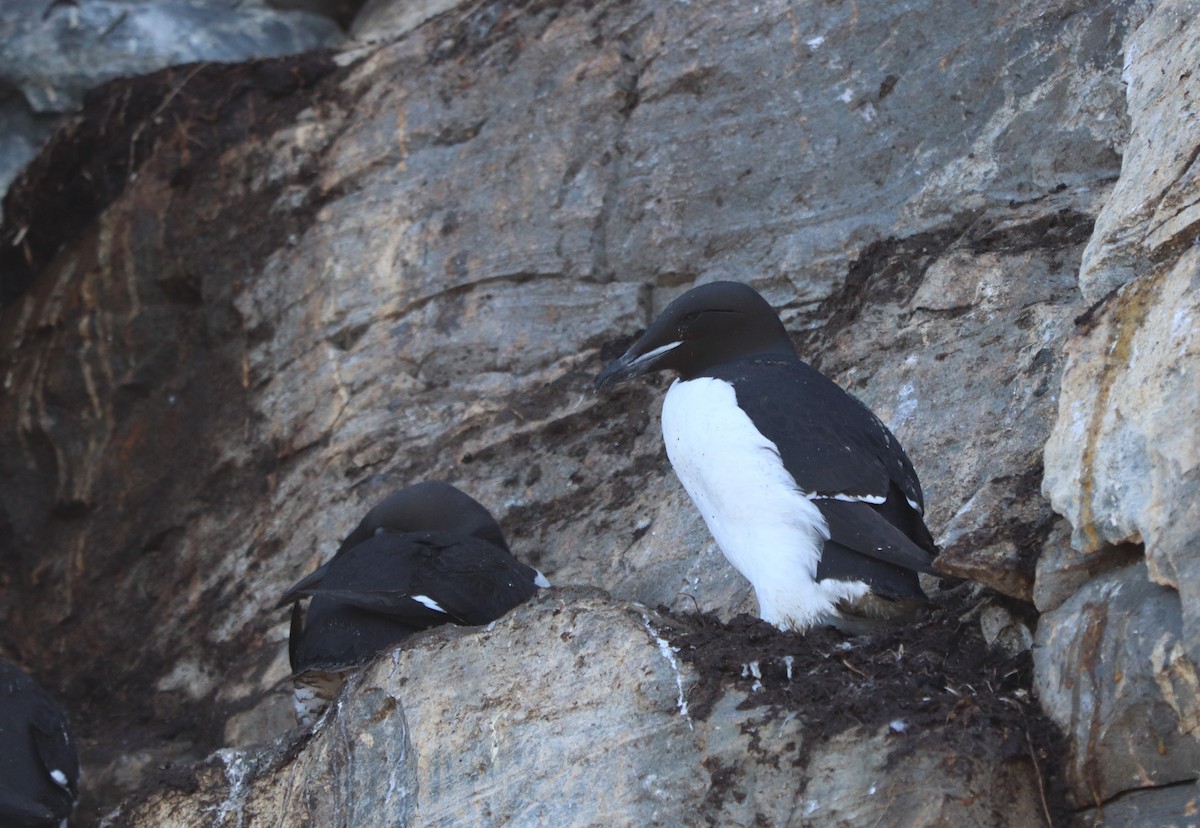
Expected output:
(428, 555)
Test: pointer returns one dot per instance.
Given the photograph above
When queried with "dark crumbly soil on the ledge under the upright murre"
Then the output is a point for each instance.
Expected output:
(937, 675)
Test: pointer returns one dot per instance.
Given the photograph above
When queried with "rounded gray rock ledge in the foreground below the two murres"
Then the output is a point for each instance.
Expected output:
(520, 722)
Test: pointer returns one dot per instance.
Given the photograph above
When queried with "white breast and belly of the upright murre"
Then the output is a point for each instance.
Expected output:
(767, 529)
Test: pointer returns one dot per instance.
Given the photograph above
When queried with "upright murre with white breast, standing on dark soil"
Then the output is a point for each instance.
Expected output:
(806, 491)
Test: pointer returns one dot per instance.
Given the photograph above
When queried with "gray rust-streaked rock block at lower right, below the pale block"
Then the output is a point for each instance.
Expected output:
(1112, 673)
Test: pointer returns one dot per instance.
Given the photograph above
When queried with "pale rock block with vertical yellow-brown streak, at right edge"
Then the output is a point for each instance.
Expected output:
(1102, 464)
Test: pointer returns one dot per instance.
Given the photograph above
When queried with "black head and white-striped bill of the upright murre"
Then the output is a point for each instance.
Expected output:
(707, 326)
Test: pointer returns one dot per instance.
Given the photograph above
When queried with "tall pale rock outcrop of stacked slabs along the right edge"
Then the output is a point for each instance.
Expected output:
(1124, 461)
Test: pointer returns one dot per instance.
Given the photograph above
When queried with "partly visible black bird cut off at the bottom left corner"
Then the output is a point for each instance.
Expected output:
(39, 765)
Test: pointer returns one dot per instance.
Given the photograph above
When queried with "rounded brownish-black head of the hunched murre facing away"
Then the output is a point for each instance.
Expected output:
(431, 506)
